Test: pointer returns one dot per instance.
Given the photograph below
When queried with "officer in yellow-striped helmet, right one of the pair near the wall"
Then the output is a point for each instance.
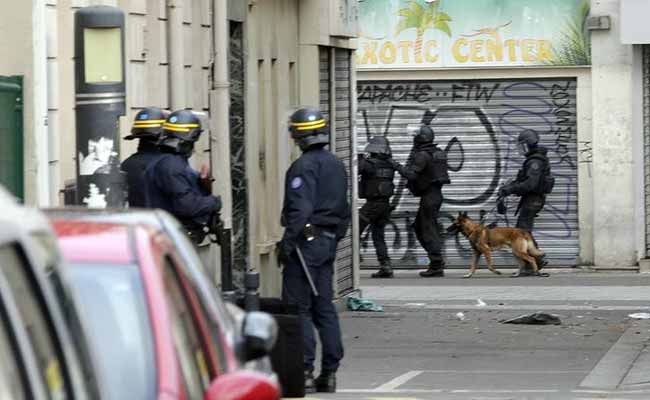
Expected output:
(173, 185)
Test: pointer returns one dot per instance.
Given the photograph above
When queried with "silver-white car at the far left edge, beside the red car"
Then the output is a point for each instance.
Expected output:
(39, 360)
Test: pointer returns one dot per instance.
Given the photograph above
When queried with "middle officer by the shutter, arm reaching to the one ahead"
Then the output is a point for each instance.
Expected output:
(426, 175)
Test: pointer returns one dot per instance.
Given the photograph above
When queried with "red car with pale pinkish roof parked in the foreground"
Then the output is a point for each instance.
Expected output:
(147, 331)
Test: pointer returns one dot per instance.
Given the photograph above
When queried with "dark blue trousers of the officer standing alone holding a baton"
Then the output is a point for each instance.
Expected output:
(315, 311)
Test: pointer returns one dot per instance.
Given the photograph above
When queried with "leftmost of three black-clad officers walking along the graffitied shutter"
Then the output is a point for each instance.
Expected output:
(376, 174)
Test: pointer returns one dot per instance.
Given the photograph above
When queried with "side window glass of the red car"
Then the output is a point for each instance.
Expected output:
(191, 353)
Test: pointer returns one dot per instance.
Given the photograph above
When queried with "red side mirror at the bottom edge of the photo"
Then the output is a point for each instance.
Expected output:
(243, 385)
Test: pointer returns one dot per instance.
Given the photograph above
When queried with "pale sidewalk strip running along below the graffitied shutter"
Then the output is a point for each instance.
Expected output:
(564, 289)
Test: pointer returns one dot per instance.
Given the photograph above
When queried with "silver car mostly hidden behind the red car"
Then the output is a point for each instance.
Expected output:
(226, 315)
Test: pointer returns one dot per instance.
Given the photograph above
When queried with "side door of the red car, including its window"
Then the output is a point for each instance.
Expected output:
(195, 347)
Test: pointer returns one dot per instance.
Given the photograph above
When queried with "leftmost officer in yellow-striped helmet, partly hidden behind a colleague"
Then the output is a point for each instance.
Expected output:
(146, 128)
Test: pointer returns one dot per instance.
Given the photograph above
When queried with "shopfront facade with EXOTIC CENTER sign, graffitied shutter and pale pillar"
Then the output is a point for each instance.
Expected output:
(480, 74)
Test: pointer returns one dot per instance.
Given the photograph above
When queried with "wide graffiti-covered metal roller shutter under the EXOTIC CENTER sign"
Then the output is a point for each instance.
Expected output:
(477, 123)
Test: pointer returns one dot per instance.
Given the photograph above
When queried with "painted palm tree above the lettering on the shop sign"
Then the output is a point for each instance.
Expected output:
(423, 17)
